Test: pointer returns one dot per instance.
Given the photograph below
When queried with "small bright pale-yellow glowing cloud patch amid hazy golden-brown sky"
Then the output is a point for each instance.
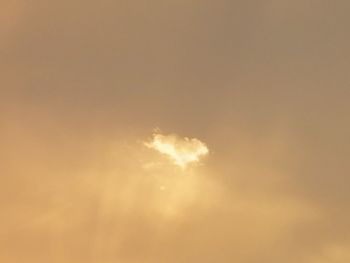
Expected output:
(181, 151)
